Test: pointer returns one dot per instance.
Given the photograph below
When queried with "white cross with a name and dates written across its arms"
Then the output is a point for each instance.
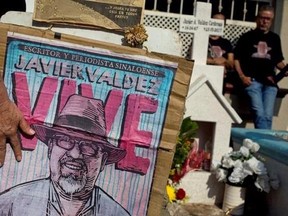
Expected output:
(202, 26)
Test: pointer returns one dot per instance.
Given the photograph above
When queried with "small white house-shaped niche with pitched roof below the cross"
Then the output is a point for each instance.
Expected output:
(214, 109)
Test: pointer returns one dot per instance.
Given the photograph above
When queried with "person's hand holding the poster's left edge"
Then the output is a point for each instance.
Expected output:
(10, 120)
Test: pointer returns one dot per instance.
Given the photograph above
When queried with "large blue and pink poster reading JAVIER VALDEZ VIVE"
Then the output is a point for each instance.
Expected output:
(98, 117)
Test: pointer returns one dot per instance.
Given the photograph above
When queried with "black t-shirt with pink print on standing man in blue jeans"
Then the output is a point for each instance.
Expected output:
(259, 53)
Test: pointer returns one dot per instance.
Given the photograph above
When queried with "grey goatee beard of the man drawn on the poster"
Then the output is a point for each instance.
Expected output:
(71, 185)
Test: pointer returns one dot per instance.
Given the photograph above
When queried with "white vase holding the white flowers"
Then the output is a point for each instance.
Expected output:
(234, 199)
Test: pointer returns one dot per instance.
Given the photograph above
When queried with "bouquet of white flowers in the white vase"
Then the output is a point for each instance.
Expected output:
(242, 168)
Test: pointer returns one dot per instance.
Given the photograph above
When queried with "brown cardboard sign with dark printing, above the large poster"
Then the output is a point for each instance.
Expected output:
(102, 13)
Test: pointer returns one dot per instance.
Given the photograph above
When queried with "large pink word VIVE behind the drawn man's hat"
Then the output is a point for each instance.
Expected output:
(131, 137)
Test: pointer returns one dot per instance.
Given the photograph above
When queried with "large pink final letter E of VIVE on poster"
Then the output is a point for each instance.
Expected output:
(132, 137)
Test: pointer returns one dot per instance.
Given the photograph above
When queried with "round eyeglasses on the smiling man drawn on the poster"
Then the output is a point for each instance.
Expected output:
(86, 147)
